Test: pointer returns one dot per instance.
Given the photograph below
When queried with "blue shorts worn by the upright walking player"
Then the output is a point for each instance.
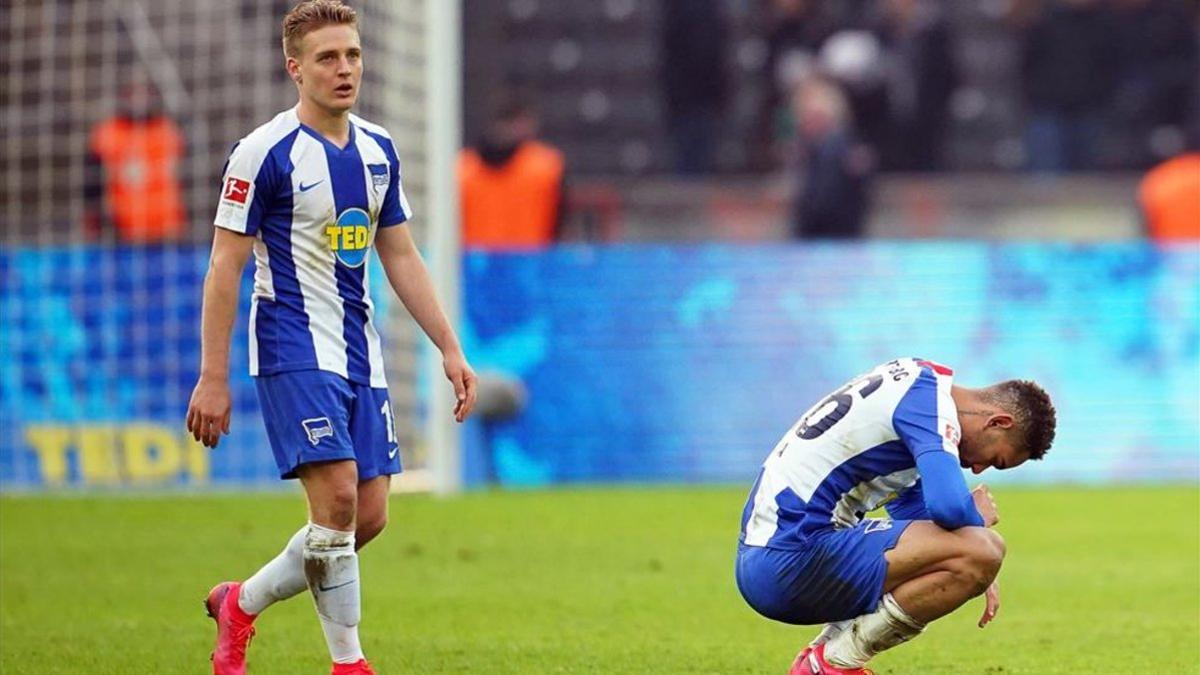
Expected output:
(317, 416)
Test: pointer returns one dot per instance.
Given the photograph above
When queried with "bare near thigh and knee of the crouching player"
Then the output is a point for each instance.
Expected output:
(926, 548)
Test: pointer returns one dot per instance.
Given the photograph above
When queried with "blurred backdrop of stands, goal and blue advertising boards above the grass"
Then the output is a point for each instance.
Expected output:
(665, 228)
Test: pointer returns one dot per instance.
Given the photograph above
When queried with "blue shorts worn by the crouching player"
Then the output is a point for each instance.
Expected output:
(839, 575)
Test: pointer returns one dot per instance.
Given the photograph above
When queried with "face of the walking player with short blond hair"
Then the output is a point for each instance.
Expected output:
(331, 68)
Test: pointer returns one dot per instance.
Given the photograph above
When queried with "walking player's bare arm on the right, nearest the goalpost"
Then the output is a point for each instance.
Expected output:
(411, 282)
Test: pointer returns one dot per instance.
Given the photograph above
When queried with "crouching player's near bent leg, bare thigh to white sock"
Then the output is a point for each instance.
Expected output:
(932, 572)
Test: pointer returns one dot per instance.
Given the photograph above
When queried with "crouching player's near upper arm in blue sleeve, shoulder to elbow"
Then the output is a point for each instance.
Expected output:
(919, 421)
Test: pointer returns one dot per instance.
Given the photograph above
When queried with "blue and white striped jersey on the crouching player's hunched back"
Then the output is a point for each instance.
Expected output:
(856, 450)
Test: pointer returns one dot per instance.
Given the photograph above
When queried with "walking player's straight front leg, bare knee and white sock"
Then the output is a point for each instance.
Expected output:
(331, 563)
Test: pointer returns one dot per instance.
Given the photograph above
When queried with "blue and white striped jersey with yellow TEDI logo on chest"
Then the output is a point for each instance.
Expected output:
(315, 210)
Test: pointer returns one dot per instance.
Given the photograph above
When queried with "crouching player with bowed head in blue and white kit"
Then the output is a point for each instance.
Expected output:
(903, 431)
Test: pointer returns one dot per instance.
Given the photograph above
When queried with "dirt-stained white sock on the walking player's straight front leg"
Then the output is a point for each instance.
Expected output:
(332, 569)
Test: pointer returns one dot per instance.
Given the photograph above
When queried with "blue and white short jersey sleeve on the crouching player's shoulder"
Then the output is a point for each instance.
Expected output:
(926, 417)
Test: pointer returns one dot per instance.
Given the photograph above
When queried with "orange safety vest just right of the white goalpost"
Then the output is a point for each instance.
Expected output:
(513, 207)
